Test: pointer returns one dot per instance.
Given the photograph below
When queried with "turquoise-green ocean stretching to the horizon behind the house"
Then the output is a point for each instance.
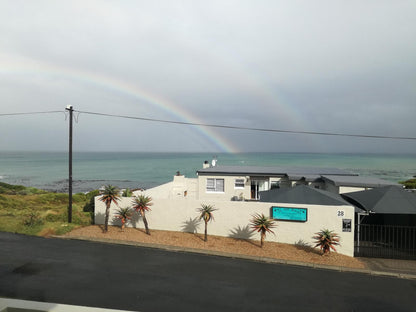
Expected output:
(91, 170)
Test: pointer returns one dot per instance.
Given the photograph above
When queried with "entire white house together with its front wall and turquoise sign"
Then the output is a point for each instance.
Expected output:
(302, 200)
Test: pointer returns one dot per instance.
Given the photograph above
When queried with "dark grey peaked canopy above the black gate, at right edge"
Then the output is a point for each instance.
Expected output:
(384, 200)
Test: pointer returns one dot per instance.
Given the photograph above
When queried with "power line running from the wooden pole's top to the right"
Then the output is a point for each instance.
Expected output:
(249, 128)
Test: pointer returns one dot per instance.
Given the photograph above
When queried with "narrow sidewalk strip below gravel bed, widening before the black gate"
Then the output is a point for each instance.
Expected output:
(375, 266)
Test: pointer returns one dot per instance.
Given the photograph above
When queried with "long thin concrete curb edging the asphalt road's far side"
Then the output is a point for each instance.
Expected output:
(245, 257)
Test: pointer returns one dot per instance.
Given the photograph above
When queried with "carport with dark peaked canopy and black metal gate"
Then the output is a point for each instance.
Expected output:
(387, 226)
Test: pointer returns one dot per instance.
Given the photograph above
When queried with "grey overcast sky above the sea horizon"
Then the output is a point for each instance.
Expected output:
(325, 66)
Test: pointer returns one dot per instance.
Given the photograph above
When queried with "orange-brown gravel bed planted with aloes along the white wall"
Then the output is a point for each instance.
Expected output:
(219, 243)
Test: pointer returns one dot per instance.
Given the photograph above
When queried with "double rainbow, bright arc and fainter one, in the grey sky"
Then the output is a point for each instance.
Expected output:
(266, 95)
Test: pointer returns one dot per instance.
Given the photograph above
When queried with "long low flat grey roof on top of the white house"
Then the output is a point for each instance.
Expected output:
(272, 171)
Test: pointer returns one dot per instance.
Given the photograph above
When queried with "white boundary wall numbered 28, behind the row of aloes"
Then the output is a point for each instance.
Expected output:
(232, 219)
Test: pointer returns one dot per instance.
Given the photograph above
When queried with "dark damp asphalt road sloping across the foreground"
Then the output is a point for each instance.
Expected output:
(145, 279)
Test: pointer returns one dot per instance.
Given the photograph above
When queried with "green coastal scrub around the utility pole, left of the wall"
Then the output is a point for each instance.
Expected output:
(32, 211)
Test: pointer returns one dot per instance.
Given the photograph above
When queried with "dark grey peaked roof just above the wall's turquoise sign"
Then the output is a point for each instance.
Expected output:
(302, 194)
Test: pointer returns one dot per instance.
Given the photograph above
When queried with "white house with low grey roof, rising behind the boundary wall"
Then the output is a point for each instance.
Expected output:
(246, 182)
